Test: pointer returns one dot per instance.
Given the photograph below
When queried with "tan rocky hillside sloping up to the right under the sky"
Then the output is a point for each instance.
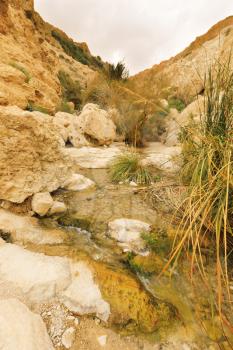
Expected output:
(184, 73)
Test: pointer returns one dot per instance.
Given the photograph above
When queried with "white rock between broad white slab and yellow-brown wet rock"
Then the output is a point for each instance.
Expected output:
(83, 295)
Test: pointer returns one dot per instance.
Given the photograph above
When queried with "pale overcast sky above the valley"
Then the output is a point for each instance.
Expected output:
(142, 32)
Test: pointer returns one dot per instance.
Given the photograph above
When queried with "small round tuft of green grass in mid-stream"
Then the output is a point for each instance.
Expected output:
(128, 167)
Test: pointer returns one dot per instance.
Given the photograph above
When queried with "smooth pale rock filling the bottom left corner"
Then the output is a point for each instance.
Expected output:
(21, 329)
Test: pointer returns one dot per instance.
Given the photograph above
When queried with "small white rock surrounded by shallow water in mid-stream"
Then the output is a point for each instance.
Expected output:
(128, 233)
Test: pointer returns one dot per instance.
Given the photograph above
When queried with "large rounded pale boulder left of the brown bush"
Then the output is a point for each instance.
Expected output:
(96, 123)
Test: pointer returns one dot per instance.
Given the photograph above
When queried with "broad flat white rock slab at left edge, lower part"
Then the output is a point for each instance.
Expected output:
(40, 277)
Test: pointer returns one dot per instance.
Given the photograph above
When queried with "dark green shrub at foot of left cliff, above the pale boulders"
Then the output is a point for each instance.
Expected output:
(71, 90)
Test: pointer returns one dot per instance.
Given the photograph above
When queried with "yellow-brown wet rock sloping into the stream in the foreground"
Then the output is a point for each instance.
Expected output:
(132, 307)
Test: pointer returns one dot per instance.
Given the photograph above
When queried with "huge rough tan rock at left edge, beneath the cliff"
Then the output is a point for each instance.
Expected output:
(32, 155)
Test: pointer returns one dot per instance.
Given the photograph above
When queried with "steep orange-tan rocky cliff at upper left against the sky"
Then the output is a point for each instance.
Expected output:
(32, 55)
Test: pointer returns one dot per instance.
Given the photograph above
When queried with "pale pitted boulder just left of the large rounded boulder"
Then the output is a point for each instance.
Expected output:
(70, 129)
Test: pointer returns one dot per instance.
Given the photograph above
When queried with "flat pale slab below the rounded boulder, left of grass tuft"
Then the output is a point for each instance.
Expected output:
(94, 157)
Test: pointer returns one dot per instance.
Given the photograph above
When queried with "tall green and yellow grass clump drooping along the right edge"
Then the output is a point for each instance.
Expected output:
(208, 172)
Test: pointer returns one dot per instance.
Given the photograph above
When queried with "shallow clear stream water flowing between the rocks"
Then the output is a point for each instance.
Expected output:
(94, 210)
